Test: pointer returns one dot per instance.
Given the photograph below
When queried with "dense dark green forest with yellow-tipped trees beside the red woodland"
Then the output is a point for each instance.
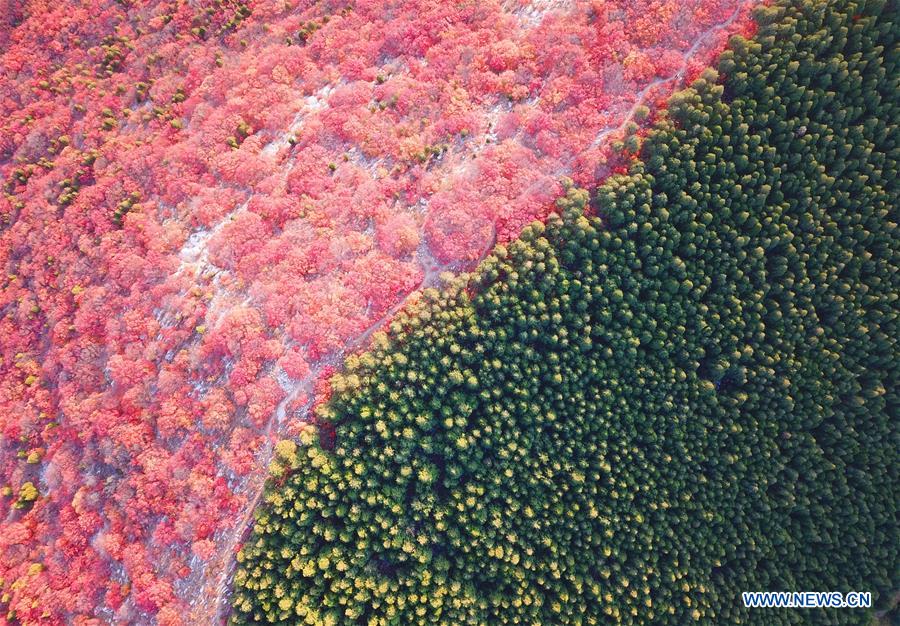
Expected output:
(631, 418)
